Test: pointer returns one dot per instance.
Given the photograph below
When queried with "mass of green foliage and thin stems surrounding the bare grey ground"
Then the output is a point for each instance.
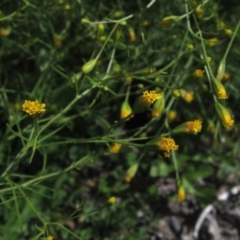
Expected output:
(58, 168)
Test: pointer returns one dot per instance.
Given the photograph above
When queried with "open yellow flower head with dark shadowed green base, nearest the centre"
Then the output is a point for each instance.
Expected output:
(144, 101)
